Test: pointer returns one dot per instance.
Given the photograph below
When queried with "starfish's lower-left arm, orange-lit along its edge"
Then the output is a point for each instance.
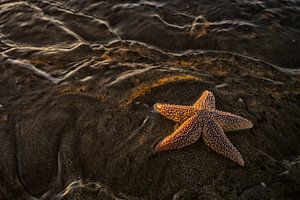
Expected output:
(186, 134)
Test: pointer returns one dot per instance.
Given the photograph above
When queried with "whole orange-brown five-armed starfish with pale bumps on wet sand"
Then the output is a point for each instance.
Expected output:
(202, 119)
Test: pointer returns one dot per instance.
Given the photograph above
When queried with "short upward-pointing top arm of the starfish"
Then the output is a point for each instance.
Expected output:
(206, 101)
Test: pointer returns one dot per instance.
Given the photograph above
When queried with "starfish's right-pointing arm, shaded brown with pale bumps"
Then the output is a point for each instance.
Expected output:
(230, 122)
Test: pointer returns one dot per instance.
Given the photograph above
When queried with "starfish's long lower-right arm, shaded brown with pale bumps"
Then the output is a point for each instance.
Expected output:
(214, 137)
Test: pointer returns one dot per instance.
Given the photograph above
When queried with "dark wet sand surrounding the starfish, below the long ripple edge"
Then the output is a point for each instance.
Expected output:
(100, 132)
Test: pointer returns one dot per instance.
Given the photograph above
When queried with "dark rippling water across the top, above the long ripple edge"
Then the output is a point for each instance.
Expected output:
(268, 30)
